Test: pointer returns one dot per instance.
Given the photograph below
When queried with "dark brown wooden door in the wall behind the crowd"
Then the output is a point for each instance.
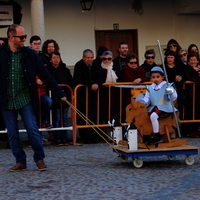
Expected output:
(112, 38)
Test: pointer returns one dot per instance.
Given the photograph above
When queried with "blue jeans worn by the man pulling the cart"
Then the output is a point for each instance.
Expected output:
(30, 123)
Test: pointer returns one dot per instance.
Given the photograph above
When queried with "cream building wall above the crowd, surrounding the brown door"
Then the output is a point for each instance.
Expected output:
(74, 30)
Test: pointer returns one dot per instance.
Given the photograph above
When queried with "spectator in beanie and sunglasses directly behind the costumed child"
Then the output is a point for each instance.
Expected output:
(149, 62)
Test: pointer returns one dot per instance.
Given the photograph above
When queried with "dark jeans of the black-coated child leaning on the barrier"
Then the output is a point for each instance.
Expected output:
(56, 118)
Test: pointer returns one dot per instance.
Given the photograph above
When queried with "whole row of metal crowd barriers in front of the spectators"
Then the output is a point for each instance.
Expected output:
(121, 86)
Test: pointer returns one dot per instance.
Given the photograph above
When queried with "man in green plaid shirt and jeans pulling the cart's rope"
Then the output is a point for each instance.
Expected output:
(19, 66)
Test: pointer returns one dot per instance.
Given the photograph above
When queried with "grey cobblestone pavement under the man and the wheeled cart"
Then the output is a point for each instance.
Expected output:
(93, 171)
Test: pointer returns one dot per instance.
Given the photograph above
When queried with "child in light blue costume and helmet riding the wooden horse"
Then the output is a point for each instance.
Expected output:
(158, 99)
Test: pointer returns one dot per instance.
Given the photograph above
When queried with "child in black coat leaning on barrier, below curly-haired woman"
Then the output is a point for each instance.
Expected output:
(62, 75)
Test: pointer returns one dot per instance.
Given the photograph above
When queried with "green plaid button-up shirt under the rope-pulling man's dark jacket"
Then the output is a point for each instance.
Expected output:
(19, 94)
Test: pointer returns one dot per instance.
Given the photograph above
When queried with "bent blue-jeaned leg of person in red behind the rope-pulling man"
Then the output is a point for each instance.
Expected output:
(46, 104)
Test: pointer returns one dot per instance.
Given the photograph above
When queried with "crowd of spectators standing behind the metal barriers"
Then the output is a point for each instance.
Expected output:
(181, 65)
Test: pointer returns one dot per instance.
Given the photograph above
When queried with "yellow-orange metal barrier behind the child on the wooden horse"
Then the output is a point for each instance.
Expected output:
(137, 90)
